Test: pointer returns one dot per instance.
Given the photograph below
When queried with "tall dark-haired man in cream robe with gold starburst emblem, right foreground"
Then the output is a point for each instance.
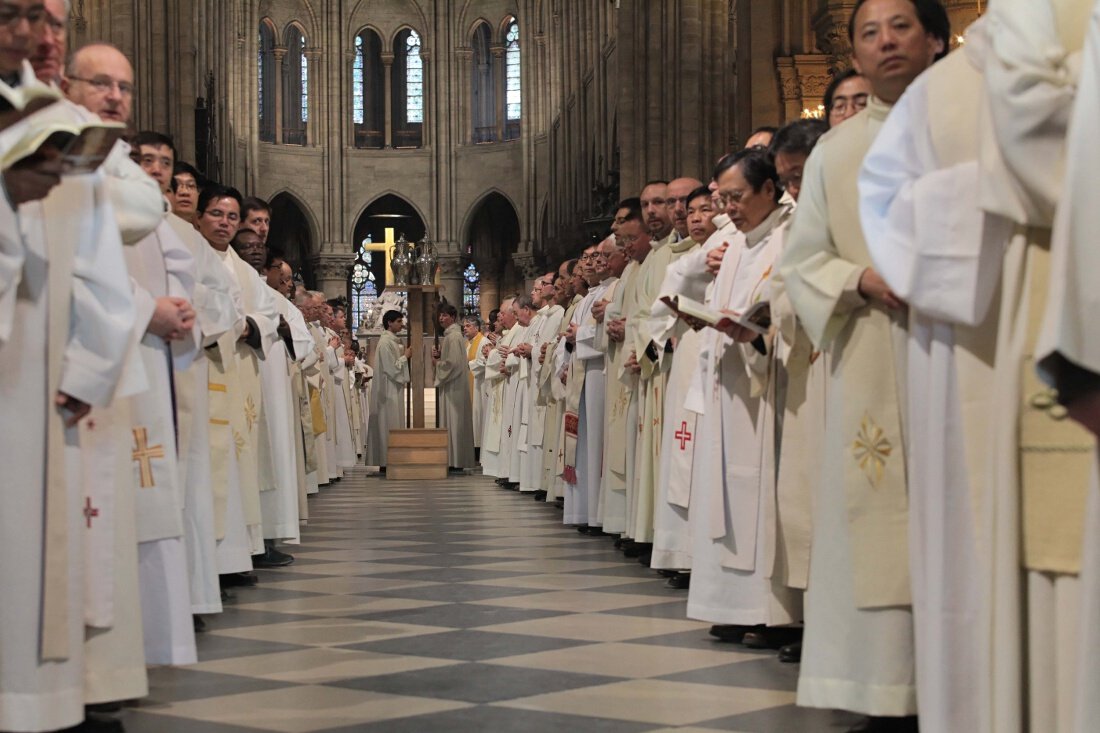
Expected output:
(859, 648)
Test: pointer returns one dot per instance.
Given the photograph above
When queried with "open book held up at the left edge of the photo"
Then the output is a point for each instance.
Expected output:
(82, 148)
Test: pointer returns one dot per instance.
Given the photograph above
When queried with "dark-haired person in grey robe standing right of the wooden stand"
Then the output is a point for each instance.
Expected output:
(453, 391)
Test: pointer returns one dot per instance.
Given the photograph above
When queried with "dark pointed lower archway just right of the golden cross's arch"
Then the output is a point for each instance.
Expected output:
(491, 239)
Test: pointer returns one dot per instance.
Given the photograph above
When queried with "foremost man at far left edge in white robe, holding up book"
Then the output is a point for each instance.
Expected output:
(68, 331)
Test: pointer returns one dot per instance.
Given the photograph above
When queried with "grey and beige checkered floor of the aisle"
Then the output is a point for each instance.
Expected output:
(456, 607)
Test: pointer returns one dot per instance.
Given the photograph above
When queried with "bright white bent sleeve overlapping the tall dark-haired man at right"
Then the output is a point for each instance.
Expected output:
(922, 223)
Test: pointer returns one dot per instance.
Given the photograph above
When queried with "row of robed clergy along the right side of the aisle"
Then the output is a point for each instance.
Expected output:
(888, 478)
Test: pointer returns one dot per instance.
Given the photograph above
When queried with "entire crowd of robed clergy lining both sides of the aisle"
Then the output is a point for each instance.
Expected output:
(888, 473)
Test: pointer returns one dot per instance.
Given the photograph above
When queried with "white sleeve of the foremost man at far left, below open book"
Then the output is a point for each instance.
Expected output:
(103, 315)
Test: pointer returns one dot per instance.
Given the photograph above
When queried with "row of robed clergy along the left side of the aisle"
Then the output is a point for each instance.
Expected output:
(170, 397)
